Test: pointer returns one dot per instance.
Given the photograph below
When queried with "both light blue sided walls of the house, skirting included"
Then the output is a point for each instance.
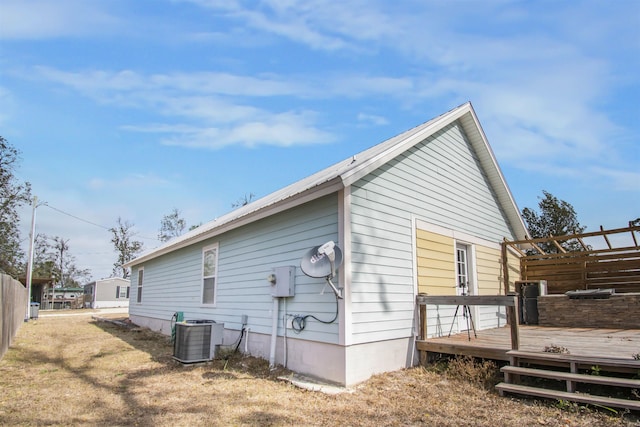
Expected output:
(439, 181)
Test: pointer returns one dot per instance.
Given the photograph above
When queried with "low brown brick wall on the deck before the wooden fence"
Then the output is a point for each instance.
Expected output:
(620, 311)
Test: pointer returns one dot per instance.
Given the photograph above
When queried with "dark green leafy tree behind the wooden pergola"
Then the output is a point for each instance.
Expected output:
(556, 218)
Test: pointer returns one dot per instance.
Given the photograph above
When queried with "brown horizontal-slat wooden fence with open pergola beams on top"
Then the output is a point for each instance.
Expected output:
(616, 266)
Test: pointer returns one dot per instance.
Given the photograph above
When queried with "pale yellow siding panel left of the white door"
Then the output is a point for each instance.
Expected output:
(436, 268)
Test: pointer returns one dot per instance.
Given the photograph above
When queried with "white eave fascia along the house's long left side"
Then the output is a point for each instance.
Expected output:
(327, 188)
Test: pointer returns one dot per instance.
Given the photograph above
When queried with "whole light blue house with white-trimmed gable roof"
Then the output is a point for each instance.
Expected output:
(420, 212)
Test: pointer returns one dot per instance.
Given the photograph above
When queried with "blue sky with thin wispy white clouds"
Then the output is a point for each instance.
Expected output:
(131, 108)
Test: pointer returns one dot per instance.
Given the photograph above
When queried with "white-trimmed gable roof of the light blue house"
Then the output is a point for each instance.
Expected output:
(348, 171)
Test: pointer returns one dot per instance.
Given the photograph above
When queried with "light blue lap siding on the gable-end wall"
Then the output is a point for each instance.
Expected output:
(439, 180)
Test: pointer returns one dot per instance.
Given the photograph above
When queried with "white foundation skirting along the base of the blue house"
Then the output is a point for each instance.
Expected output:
(333, 363)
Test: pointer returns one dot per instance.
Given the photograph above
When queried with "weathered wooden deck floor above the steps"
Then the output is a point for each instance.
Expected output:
(494, 343)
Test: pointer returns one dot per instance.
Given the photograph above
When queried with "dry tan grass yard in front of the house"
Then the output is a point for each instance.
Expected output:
(73, 370)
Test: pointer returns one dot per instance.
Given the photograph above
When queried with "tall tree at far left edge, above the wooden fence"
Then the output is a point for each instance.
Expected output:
(13, 194)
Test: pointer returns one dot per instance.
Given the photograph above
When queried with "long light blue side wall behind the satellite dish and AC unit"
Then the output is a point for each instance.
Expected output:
(246, 257)
